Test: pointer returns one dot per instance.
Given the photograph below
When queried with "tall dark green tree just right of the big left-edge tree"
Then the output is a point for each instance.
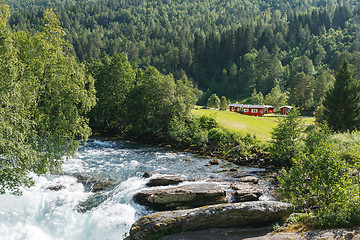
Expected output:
(115, 78)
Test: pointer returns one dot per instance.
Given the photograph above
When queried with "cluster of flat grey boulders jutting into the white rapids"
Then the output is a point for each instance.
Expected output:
(184, 205)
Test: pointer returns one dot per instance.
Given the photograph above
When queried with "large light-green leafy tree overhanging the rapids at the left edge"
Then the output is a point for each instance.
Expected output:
(44, 95)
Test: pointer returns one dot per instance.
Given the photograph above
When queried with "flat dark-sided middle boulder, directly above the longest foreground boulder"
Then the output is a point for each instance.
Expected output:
(182, 197)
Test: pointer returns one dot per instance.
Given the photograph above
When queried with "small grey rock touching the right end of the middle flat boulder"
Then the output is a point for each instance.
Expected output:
(245, 192)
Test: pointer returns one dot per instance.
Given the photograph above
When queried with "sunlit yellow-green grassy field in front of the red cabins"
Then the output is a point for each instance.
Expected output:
(260, 126)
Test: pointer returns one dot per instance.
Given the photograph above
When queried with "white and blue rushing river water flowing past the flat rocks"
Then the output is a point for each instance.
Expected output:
(41, 213)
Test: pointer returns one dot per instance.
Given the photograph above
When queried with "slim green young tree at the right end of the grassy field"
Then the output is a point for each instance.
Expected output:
(285, 142)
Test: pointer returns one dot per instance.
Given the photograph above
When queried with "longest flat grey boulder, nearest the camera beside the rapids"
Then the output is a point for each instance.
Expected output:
(245, 214)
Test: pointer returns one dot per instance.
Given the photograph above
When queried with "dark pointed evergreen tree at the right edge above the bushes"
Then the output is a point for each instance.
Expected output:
(342, 103)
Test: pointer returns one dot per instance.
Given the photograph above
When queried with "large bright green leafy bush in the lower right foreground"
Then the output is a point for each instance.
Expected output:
(322, 181)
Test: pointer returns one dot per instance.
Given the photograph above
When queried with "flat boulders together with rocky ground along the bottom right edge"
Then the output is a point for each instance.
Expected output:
(218, 209)
